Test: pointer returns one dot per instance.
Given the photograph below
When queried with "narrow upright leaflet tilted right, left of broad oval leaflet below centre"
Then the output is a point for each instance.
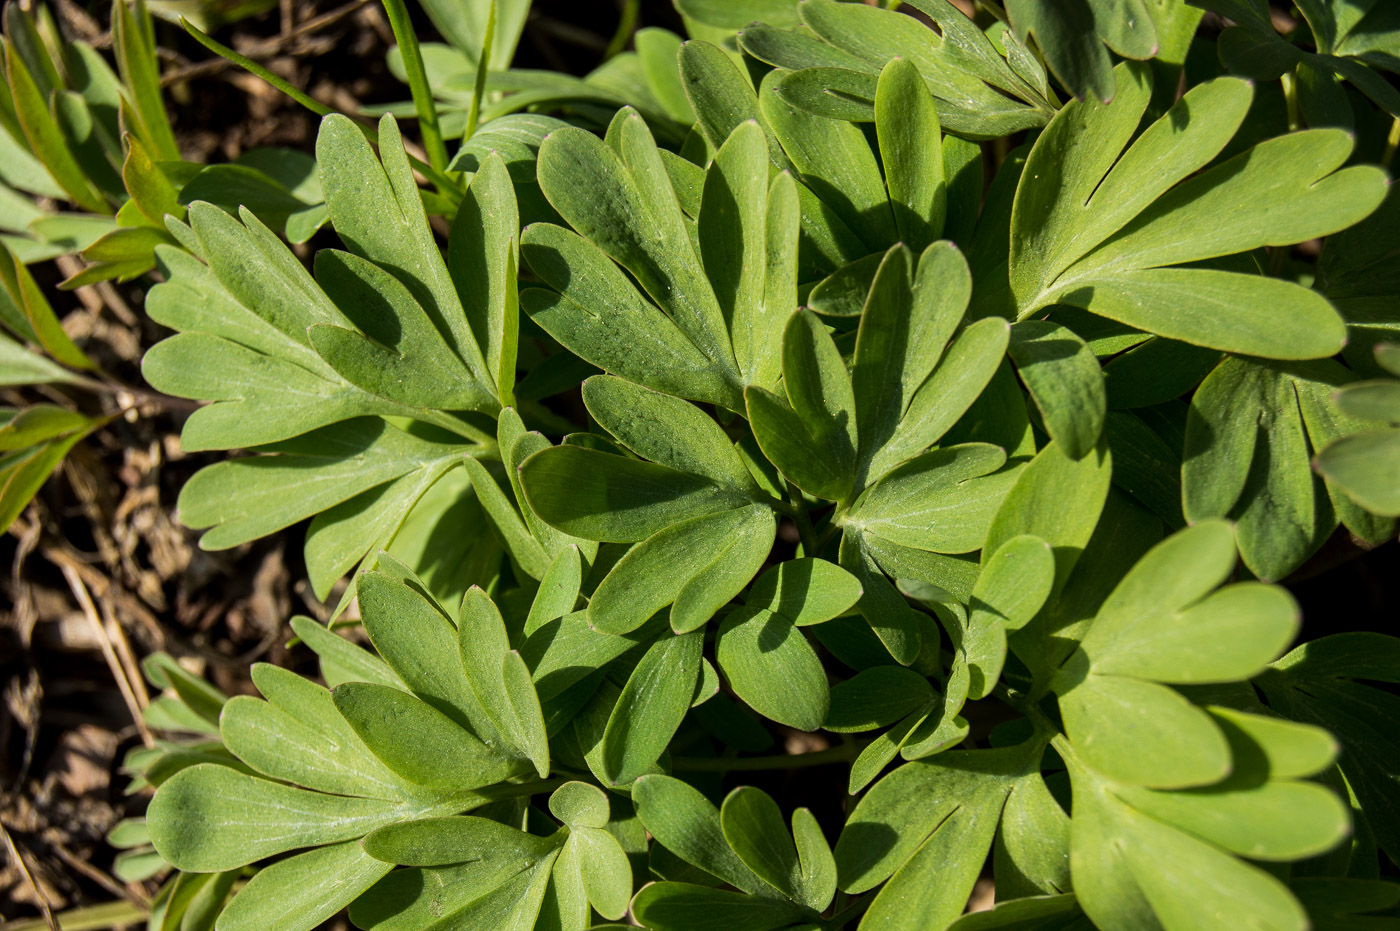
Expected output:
(652, 706)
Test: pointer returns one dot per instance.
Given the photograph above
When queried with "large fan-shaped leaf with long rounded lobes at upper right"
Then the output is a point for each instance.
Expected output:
(1097, 234)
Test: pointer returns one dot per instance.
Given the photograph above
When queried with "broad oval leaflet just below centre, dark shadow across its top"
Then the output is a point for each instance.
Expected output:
(772, 667)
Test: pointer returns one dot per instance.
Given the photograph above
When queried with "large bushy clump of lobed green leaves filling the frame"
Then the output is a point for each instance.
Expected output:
(962, 409)
